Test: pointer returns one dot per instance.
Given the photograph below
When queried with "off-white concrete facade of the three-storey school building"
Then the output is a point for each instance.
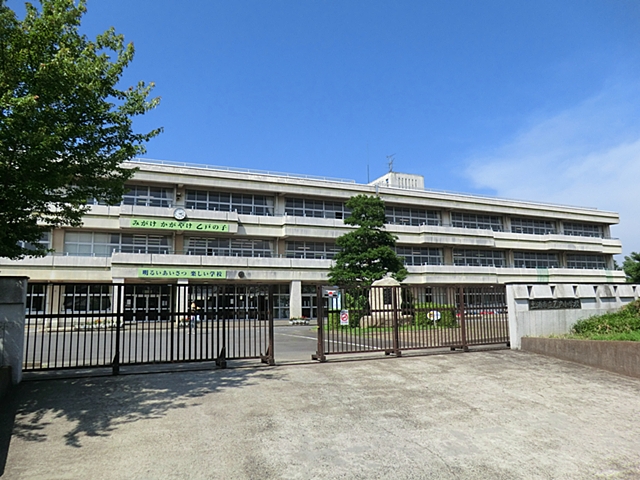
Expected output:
(280, 229)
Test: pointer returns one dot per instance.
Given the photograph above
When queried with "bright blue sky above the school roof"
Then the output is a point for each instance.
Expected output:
(530, 100)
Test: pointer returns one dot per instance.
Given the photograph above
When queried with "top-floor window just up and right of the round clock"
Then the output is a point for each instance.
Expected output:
(244, 204)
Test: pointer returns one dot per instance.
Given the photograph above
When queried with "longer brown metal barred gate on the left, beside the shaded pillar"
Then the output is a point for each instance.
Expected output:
(110, 325)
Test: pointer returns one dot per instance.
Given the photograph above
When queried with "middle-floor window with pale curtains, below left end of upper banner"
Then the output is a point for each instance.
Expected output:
(104, 244)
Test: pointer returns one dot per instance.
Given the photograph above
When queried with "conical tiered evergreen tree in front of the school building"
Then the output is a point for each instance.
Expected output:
(366, 254)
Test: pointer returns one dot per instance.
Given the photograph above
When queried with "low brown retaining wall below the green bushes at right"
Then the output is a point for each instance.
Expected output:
(618, 357)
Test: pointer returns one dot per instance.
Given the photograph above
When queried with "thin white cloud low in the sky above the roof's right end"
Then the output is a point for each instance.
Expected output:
(588, 155)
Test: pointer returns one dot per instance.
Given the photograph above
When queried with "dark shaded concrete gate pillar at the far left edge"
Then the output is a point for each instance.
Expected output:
(13, 293)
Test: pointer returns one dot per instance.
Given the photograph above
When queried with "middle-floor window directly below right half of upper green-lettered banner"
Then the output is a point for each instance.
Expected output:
(229, 247)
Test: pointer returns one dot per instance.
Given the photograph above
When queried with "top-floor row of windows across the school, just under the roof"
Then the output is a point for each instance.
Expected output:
(249, 204)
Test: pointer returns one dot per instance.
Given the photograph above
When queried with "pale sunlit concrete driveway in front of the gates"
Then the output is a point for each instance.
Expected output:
(493, 414)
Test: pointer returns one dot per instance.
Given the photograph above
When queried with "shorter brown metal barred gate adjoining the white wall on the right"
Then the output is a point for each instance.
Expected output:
(391, 319)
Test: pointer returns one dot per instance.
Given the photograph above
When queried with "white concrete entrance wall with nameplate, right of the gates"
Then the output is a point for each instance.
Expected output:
(524, 321)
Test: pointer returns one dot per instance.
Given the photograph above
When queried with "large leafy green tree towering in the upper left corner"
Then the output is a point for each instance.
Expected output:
(65, 127)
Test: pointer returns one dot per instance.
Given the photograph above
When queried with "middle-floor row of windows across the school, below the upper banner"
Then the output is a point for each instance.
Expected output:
(104, 244)
